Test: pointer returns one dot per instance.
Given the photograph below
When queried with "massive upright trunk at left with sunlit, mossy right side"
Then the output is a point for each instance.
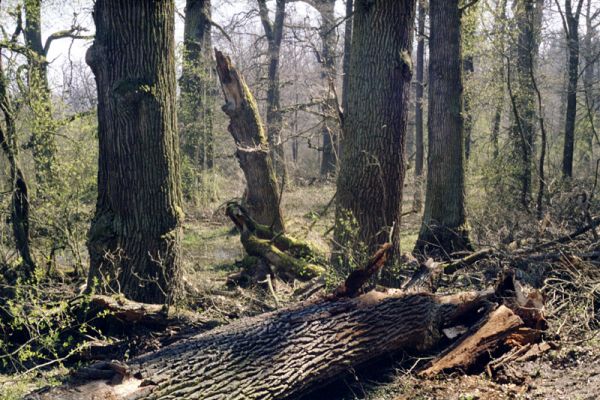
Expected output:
(134, 238)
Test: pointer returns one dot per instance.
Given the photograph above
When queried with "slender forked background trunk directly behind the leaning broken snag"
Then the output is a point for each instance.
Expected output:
(274, 34)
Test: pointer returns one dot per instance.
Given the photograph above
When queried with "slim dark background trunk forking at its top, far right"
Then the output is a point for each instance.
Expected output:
(571, 26)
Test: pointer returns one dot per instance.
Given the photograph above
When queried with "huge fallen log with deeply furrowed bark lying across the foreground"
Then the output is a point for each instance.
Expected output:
(289, 352)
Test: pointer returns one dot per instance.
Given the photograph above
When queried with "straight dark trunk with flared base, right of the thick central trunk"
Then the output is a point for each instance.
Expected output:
(444, 228)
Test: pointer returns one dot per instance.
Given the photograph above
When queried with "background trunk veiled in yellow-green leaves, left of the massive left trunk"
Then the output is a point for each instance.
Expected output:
(43, 141)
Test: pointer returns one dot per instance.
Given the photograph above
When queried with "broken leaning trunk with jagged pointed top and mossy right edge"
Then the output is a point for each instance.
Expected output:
(262, 194)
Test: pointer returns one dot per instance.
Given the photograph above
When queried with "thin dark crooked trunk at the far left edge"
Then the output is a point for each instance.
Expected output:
(19, 212)
